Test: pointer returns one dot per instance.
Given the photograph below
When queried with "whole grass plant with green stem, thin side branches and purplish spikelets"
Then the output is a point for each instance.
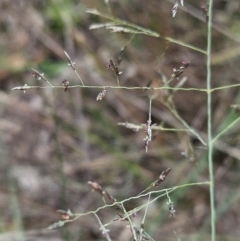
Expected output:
(153, 192)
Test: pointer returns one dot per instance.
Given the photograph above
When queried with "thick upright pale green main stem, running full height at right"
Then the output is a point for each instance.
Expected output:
(209, 103)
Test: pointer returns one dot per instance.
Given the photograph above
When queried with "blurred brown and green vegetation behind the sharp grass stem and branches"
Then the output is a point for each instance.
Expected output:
(53, 142)
